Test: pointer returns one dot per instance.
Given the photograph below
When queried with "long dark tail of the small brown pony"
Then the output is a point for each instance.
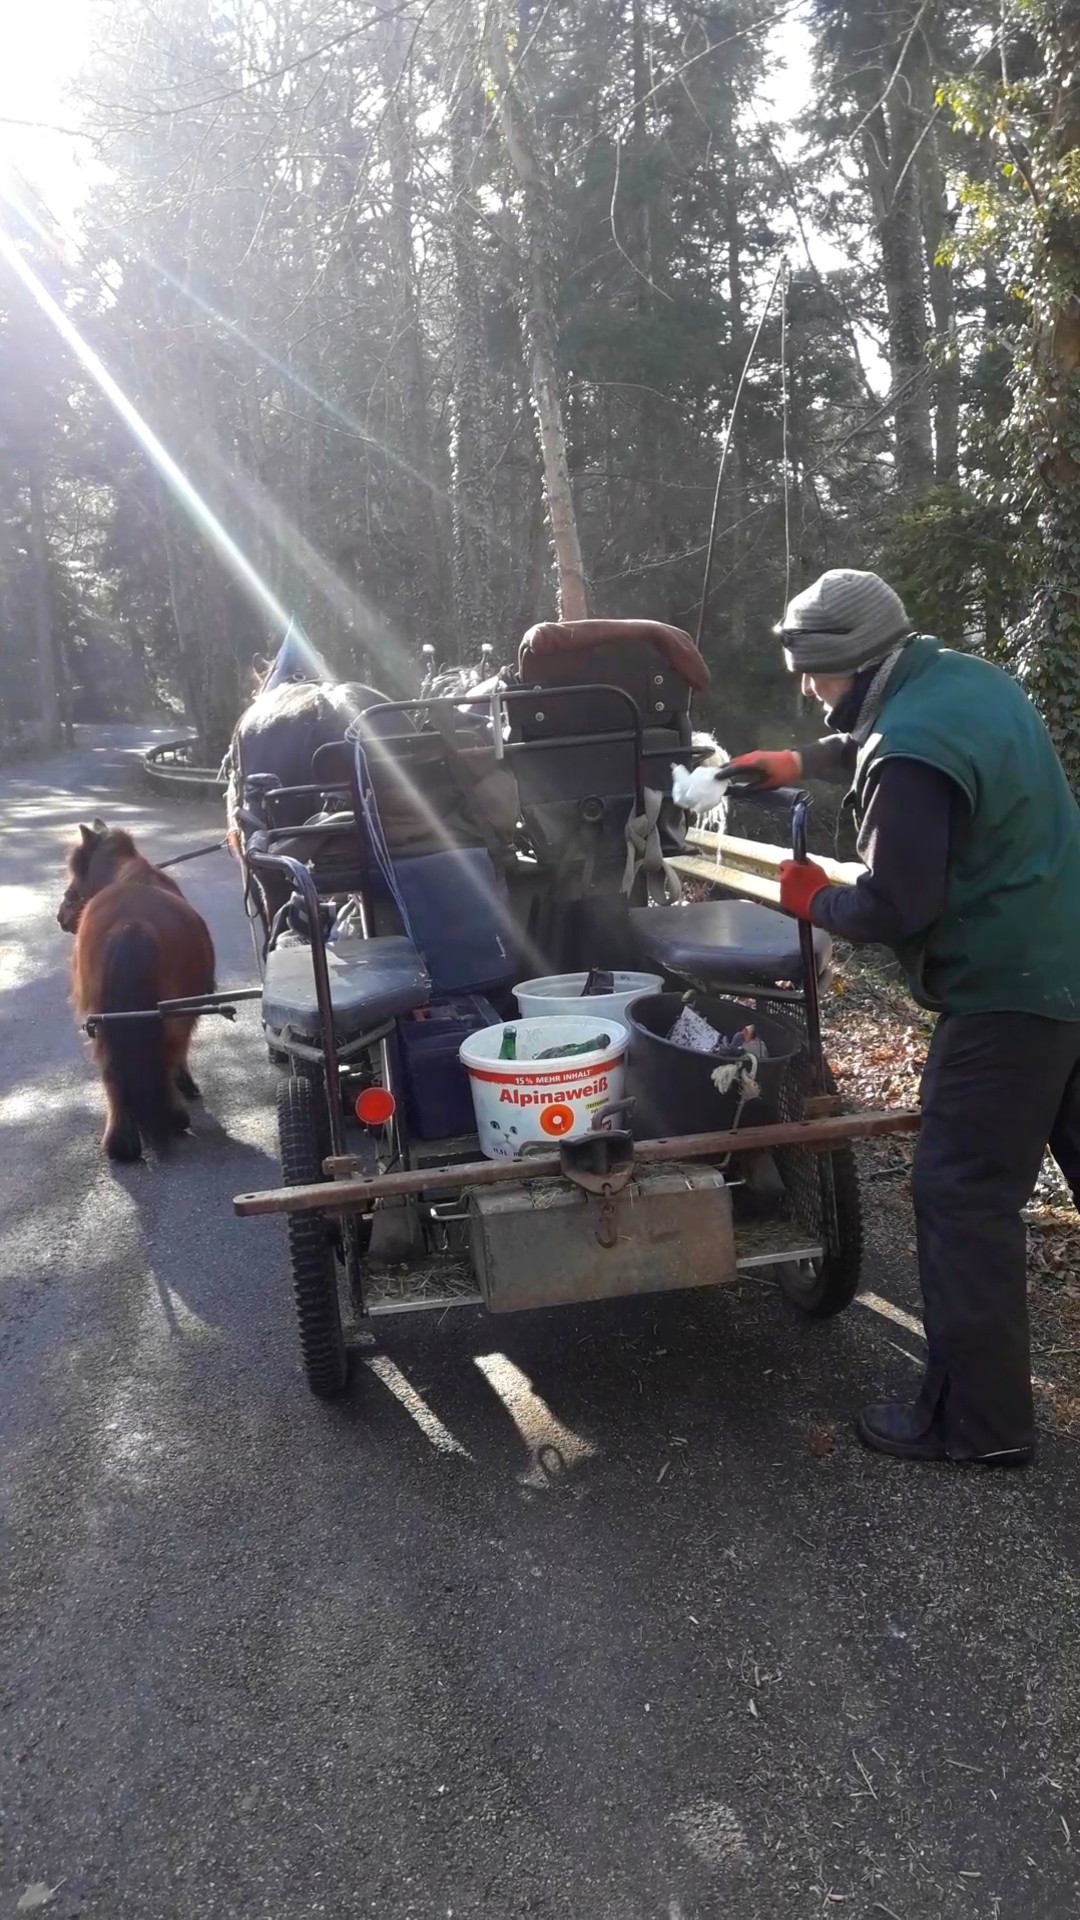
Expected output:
(134, 1051)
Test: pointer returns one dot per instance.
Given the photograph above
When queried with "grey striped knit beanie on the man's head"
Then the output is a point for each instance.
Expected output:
(845, 623)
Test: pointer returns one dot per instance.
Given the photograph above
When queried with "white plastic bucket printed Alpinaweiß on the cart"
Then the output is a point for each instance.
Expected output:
(522, 1103)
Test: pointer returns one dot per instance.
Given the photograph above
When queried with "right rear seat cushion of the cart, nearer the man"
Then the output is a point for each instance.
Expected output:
(725, 944)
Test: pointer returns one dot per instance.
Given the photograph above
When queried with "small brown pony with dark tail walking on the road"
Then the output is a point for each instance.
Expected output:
(137, 942)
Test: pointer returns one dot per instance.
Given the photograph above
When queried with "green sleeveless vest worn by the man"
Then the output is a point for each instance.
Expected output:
(1010, 936)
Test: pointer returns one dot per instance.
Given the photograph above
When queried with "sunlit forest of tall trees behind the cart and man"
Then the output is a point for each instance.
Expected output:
(441, 306)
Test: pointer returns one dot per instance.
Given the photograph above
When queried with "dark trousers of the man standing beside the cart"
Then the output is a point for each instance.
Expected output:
(996, 1092)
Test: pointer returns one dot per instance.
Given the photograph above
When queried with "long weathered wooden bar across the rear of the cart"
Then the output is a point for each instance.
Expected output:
(343, 1195)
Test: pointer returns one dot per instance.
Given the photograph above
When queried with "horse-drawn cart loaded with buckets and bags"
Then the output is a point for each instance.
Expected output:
(439, 855)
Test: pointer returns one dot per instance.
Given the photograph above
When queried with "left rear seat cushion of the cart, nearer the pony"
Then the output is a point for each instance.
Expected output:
(372, 982)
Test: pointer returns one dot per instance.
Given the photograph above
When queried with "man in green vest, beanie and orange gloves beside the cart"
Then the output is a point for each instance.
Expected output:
(971, 842)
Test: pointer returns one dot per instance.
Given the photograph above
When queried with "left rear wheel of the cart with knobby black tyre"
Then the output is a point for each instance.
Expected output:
(310, 1249)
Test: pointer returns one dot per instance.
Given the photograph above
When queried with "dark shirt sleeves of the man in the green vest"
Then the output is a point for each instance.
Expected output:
(904, 840)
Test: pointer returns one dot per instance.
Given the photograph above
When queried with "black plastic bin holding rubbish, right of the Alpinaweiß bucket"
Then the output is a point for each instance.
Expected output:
(672, 1086)
